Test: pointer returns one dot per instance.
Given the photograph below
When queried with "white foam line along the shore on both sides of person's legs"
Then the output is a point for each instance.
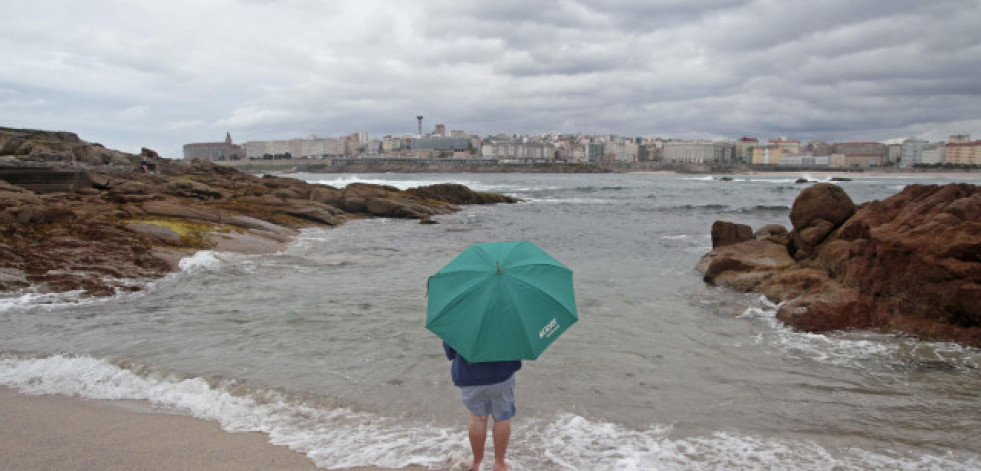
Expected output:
(337, 437)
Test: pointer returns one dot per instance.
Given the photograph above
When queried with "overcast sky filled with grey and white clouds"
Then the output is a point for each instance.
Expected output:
(133, 73)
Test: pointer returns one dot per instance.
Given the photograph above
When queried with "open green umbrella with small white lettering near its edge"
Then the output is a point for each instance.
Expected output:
(501, 301)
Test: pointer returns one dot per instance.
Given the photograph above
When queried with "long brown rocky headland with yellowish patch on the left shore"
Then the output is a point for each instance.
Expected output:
(124, 222)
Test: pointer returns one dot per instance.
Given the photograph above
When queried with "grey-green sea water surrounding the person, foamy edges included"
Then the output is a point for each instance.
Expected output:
(323, 346)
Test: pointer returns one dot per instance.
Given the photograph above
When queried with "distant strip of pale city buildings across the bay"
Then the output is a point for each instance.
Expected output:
(960, 149)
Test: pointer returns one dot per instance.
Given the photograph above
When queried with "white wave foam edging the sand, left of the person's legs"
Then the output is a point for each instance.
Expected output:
(335, 437)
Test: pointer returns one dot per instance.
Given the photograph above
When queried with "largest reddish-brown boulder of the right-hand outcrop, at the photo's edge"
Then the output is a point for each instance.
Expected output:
(918, 255)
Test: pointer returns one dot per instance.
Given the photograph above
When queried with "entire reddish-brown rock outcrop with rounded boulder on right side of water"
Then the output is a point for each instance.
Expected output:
(910, 263)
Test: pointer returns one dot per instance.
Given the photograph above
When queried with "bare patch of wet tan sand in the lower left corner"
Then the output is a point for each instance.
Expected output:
(53, 432)
